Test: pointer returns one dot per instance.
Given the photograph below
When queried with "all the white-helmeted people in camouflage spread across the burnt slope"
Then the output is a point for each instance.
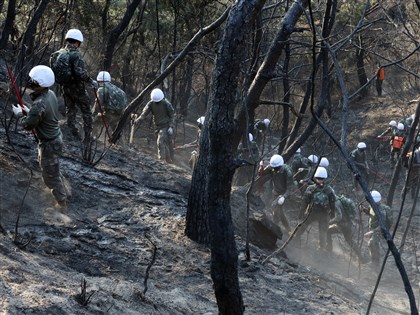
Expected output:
(318, 201)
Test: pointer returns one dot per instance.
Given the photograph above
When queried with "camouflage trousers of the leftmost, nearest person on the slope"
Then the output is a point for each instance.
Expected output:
(48, 155)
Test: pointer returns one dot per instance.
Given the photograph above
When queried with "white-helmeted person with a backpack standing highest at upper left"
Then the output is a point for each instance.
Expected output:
(70, 71)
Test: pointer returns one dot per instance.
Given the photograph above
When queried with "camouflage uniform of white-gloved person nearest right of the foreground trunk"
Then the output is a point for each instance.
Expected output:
(280, 178)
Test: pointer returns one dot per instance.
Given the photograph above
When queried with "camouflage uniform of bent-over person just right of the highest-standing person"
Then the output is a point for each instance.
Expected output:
(113, 101)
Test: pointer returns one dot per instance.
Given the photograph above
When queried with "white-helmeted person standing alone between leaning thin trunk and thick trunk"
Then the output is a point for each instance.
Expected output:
(164, 119)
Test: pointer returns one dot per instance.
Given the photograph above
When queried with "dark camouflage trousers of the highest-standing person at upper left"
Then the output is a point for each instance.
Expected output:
(78, 98)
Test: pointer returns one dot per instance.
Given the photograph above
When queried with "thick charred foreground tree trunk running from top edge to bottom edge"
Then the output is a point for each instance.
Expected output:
(220, 158)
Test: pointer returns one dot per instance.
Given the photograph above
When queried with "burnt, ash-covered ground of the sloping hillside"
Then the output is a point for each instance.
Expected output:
(120, 246)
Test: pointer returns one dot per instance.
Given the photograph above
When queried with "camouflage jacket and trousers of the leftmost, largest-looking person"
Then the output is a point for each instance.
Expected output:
(43, 116)
